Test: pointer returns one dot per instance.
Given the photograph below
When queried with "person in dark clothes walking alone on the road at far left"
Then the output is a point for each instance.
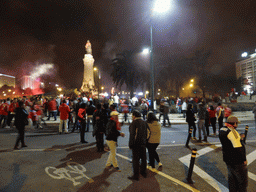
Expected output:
(21, 116)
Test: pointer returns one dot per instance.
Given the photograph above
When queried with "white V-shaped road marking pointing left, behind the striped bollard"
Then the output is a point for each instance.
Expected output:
(209, 179)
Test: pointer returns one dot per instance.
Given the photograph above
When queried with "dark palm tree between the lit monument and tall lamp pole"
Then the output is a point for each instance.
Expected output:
(126, 71)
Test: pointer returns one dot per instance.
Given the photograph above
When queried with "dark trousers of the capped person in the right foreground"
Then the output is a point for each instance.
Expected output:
(237, 178)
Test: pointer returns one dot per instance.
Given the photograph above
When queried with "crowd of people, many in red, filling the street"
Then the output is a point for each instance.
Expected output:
(144, 129)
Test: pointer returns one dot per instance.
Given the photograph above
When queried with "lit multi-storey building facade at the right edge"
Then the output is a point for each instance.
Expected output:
(246, 69)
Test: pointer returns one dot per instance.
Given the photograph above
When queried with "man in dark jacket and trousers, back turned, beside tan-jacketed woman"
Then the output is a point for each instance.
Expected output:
(139, 132)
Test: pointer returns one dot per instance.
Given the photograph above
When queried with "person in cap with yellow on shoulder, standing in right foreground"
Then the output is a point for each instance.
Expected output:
(234, 155)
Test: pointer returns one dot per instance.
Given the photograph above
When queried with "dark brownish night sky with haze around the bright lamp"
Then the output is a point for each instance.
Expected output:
(34, 32)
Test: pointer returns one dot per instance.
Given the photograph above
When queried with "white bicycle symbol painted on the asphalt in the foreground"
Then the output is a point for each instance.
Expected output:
(64, 173)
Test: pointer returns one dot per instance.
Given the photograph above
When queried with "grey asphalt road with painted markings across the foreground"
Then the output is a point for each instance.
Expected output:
(61, 163)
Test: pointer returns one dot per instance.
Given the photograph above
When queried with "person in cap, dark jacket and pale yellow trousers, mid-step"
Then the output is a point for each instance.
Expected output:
(112, 134)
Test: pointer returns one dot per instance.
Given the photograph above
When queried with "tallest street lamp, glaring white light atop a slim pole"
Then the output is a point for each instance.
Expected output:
(160, 7)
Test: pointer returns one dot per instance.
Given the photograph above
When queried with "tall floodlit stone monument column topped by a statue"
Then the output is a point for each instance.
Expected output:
(88, 81)
